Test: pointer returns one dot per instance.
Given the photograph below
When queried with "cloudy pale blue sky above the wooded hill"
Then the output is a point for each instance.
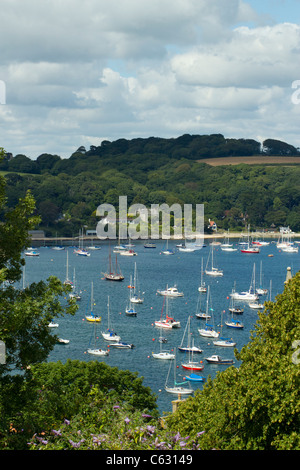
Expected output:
(77, 72)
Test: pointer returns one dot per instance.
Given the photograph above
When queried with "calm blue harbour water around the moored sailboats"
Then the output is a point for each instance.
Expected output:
(156, 271)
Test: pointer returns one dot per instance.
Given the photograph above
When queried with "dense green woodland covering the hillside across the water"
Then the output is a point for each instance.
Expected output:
(155, 171)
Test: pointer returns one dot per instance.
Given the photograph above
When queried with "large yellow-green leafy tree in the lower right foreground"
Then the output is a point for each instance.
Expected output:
(257, 405)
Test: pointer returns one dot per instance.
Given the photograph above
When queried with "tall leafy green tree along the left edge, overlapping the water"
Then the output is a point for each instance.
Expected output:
(24, 313)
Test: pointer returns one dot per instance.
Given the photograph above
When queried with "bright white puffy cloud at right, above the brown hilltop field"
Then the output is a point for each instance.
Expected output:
(255, 57)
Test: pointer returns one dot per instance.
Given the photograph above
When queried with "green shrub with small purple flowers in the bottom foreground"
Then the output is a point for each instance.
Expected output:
(116, 428)
